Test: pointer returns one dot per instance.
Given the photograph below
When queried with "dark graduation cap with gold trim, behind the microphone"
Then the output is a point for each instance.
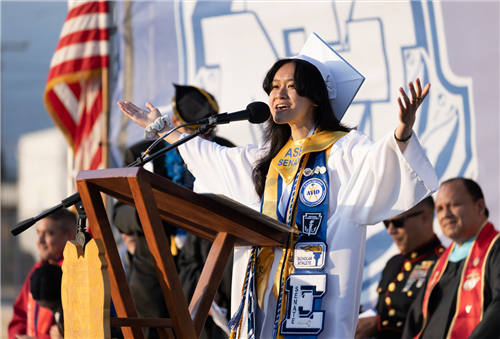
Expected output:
(191, 104)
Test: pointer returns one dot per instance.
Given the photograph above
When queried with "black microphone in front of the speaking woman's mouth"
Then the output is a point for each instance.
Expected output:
(256, 112)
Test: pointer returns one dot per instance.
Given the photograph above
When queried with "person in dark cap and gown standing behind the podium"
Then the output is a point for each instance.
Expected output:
(189, 104)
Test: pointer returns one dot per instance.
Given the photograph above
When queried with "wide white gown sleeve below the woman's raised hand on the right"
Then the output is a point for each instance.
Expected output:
(377, 180)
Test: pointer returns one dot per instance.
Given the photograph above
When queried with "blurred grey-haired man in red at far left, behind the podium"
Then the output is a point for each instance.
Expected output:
(30, 319)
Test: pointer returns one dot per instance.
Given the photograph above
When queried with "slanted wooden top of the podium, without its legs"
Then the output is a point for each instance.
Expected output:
(187, 210)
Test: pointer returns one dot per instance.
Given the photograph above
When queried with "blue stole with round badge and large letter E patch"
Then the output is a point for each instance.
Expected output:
(302, 280)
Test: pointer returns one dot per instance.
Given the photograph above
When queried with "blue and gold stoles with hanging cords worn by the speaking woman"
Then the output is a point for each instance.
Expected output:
(303, 163)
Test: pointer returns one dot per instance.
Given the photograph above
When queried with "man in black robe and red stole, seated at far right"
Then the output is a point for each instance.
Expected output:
(462, 295)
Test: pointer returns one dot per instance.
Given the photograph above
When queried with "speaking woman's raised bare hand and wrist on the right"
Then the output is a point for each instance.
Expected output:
(407, 111)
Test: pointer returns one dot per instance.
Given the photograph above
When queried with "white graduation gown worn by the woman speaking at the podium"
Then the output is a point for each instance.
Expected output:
(369, 182)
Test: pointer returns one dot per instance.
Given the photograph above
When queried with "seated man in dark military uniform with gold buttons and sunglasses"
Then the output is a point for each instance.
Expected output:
(405, 273)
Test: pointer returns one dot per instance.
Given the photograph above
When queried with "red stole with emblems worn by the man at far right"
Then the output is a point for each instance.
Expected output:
(469, 307)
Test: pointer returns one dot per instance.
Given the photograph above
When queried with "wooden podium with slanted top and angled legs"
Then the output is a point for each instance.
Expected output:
(213, 218)
